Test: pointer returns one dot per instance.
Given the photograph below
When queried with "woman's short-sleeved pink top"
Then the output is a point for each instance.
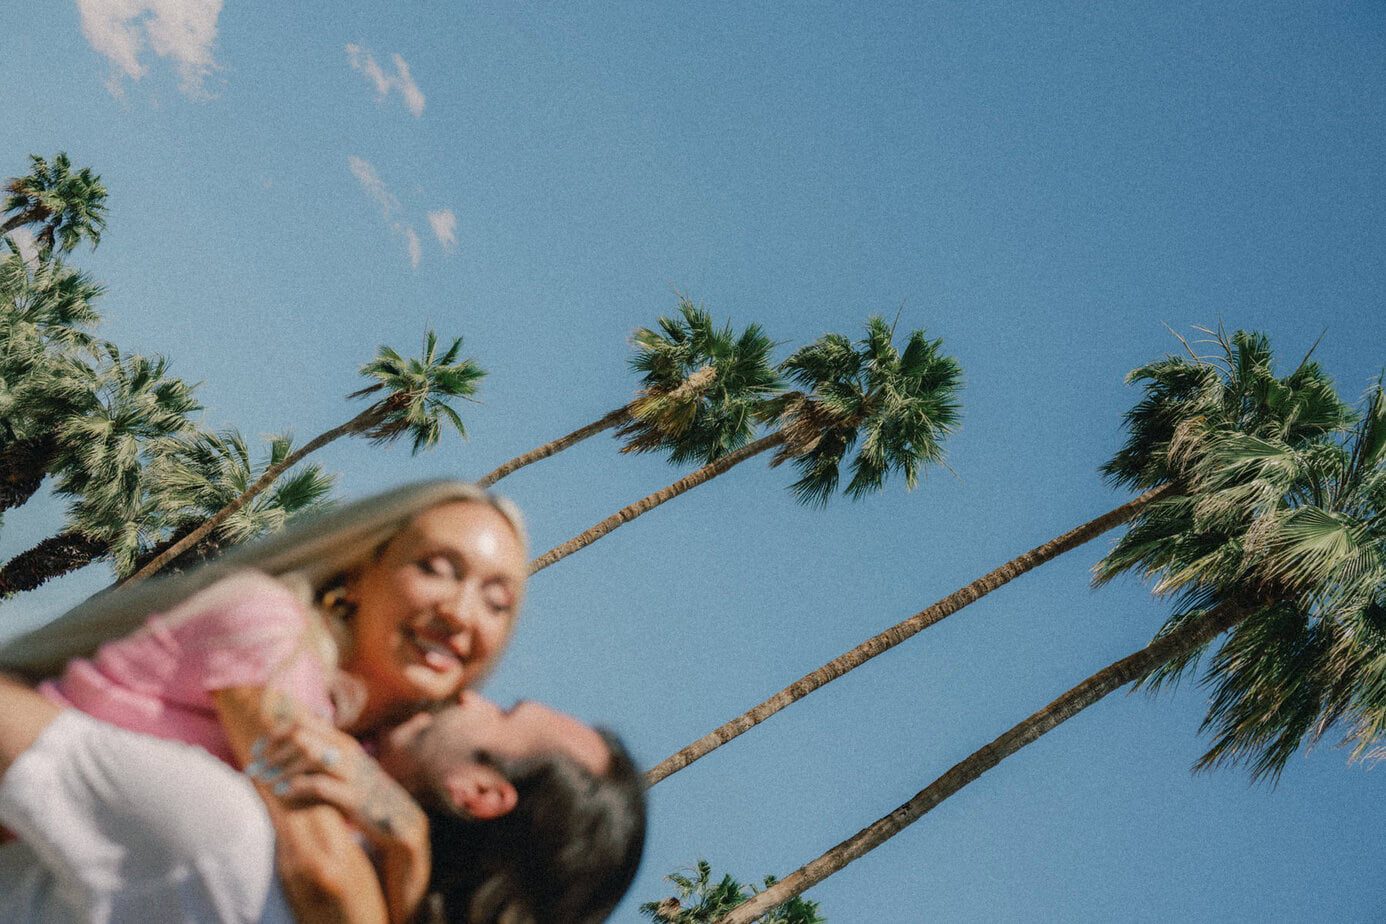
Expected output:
(245, 631)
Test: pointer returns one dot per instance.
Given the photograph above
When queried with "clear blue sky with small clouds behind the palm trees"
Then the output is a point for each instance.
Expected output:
(1044, 188)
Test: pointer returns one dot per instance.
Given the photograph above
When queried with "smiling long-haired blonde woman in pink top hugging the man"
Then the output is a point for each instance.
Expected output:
(361, 617)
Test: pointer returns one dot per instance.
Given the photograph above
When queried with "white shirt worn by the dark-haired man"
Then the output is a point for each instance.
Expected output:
(138, 829)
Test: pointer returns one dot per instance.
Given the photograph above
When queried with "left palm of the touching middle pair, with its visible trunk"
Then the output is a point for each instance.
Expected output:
(692, 376)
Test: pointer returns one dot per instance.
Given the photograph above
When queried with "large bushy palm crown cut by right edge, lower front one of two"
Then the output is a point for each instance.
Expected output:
(1306, 562)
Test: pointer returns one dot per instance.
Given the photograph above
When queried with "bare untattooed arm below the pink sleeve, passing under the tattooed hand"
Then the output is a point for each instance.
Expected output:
(326, 875)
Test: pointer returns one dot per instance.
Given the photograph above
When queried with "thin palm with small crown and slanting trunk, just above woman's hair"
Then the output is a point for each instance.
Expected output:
(416, 404)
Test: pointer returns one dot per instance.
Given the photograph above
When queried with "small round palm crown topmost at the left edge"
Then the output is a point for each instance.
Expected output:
(66, 207)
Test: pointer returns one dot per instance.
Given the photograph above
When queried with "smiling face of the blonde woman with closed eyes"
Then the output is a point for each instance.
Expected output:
(436, 606)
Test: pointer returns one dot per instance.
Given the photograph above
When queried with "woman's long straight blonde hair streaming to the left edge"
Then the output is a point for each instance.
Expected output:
(308, 556)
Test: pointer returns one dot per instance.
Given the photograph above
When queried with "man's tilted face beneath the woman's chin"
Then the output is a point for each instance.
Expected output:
(436, 745)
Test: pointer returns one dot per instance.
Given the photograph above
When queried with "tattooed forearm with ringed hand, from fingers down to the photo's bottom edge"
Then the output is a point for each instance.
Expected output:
(310, 763)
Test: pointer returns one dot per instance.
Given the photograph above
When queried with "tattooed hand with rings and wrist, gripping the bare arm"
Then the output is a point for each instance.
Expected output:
(306, 761)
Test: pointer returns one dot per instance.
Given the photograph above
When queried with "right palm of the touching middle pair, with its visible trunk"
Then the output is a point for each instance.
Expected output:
(900, 404)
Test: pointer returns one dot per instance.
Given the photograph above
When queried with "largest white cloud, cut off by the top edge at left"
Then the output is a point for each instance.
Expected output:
(182, 31)
